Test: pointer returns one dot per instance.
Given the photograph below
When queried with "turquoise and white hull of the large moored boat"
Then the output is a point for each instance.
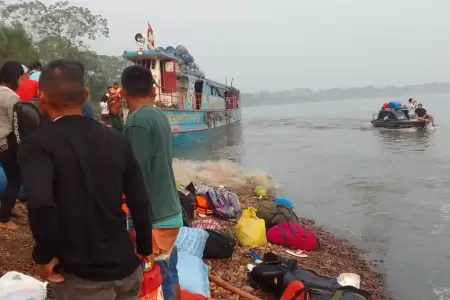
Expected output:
(192, 126)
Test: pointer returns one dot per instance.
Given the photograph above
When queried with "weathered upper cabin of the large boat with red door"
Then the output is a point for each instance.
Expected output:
(182, 86)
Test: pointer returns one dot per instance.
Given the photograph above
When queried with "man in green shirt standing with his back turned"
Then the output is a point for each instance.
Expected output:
(149, 132)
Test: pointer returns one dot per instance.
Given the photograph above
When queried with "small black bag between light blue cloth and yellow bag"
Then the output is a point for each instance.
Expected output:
(218, 245)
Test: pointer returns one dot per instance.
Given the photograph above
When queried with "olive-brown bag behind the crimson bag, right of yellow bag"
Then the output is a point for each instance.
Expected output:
(274, 214)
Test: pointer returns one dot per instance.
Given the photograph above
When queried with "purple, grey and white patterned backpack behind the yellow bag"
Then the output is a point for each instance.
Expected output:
(226, 204)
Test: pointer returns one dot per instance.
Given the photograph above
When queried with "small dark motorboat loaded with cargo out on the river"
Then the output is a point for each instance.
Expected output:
(397, 118)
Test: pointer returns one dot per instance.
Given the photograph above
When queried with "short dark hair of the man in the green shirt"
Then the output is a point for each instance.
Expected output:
(137, 81)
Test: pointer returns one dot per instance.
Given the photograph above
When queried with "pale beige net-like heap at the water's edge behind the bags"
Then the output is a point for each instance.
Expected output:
(221, 172)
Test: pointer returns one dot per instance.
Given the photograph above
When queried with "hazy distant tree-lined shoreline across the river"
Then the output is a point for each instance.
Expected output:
(391, 93)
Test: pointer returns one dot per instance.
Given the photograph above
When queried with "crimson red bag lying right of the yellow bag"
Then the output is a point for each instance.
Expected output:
(293, 236)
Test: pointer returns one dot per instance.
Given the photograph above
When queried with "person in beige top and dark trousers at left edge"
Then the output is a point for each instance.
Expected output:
(11, 76)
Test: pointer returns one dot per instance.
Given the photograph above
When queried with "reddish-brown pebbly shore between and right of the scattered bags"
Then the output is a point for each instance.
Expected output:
(336, 256)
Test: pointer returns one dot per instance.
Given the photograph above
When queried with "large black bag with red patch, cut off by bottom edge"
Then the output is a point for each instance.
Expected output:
(318, 287)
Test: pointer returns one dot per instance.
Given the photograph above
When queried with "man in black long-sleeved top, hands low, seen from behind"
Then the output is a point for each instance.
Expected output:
(74, 172)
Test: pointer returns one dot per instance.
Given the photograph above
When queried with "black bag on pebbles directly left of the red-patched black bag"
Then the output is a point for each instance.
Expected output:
(268, 275)
